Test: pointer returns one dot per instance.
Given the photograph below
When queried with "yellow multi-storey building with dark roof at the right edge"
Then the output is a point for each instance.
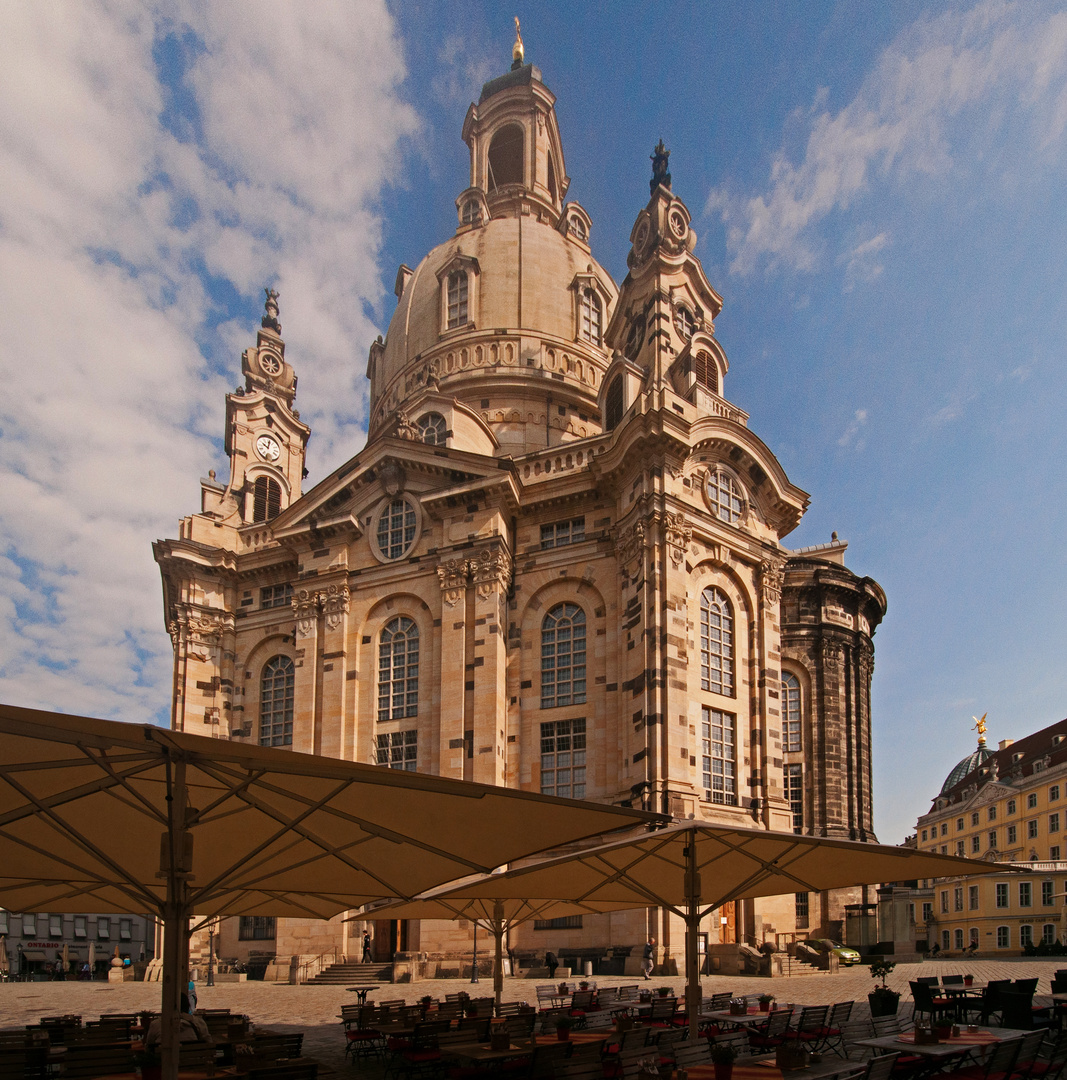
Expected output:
(1007, 806)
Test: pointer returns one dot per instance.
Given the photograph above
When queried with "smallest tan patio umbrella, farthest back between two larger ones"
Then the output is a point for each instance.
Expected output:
(496, 916)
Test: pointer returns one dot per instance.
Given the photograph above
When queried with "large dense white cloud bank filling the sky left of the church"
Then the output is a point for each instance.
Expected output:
(115, 231)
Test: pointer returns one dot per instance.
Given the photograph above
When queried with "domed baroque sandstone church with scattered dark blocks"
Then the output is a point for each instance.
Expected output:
(558, 564)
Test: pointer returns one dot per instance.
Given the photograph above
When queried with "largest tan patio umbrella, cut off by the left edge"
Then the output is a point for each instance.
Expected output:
(134, 818)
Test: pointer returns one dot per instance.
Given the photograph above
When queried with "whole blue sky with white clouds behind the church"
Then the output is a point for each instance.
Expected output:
(880, 195)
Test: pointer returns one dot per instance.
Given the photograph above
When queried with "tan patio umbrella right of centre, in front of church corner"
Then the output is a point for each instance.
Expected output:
(694, 868)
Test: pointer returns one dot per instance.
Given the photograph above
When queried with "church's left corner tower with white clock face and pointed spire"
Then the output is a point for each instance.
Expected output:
(265, 439)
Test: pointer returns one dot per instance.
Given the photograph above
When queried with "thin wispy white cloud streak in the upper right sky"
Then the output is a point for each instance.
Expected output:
(997, 64)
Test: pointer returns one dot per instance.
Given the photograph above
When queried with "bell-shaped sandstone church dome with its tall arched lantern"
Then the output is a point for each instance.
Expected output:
(508, 318)
